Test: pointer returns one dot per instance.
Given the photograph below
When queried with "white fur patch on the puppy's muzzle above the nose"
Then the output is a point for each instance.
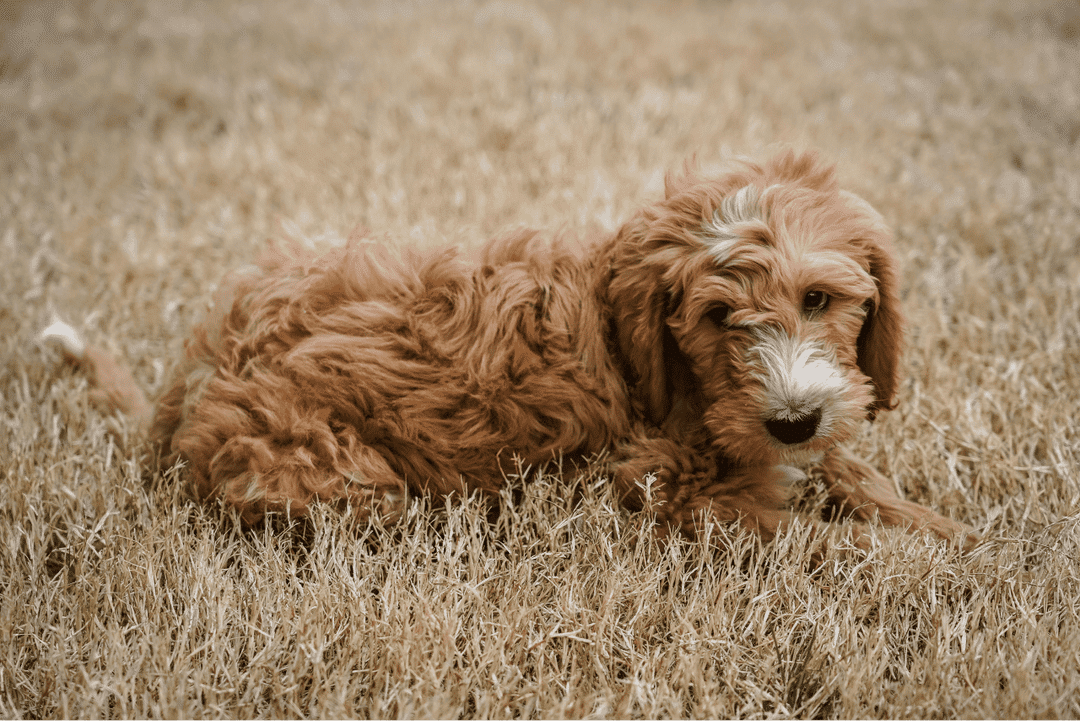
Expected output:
(799, 378)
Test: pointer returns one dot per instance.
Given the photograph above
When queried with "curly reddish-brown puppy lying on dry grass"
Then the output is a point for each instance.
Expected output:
(739, 330)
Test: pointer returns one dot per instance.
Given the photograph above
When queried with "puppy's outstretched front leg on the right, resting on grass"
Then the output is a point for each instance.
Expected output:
(859, 491)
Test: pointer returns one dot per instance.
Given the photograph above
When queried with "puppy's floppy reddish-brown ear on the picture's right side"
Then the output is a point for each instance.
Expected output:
(882, 337)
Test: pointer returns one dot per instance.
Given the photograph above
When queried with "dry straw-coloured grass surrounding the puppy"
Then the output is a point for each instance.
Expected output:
(146, 147)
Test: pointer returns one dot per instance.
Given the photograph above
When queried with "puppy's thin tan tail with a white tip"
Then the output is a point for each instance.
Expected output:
(114, 386)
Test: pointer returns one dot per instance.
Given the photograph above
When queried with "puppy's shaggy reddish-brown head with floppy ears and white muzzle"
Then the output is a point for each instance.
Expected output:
(761, 307)
